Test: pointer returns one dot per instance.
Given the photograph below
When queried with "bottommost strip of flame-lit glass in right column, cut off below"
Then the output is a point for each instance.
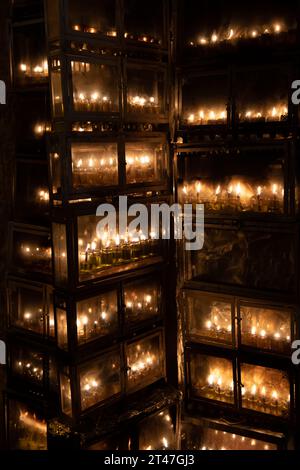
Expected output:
(202, 437)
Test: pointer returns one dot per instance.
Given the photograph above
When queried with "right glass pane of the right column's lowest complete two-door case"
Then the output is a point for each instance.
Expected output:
(265, 390)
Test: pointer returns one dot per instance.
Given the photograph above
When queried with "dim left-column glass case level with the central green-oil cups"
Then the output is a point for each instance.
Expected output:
(30, 250)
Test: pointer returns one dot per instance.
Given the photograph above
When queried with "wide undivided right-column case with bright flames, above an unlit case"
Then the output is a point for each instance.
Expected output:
(247, 179)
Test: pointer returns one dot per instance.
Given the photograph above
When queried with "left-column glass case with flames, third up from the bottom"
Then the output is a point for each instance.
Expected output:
(31, 307)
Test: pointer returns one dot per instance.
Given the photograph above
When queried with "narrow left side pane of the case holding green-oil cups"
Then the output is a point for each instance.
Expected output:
(60, 253)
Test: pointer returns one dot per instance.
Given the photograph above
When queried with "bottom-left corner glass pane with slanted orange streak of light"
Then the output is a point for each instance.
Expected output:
(27, 428)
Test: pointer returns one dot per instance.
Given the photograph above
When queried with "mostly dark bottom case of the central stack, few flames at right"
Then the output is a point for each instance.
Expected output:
(129, 425)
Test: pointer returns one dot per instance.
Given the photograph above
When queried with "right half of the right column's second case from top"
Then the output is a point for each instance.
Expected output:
(262, 95)
